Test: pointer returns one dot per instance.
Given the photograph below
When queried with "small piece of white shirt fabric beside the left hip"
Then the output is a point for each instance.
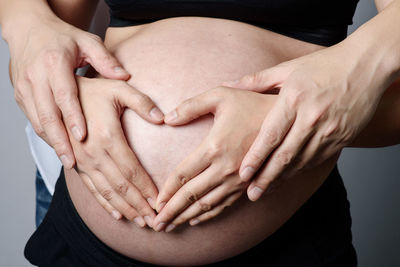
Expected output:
(45, 158)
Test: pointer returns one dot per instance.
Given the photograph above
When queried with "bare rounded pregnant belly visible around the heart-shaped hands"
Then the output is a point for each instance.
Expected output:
(170, 61)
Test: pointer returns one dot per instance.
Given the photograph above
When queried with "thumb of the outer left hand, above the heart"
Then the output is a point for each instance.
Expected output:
(102, 60)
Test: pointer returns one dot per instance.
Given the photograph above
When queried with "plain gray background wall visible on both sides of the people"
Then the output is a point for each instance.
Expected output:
(371, 176)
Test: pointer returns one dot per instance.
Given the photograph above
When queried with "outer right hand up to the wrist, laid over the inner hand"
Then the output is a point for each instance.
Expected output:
(326, 98)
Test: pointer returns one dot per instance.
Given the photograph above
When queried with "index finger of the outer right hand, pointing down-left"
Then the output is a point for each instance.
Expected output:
(274, 129)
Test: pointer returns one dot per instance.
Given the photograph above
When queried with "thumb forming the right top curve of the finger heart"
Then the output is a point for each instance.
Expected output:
(193, 108)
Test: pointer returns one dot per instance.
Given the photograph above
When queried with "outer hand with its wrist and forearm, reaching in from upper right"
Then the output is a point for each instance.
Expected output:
(332, 93)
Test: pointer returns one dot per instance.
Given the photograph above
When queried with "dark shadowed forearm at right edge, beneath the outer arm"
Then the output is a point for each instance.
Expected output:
(384, 128)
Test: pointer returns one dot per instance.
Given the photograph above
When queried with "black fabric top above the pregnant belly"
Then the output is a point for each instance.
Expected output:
(314, 21)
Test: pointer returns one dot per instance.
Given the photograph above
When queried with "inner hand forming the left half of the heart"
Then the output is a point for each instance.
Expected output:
(105, 161)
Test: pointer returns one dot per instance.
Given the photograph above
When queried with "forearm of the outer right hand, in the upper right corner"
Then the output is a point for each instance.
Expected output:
(375, 46)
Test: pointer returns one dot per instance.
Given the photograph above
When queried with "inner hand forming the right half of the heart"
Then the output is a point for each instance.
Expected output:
(207, 180)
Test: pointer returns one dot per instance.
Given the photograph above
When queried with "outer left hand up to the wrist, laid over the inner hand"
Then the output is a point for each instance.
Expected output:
(44, 56)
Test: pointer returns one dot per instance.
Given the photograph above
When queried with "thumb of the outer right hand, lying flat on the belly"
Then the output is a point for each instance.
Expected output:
(261, 81)
